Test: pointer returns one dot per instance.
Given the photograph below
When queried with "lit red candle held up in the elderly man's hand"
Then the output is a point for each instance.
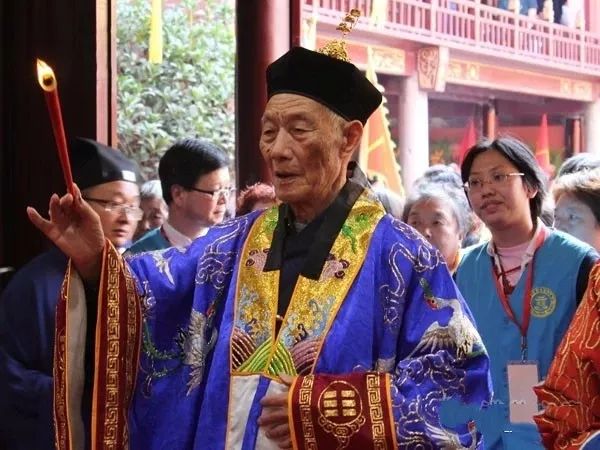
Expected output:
(48, 83)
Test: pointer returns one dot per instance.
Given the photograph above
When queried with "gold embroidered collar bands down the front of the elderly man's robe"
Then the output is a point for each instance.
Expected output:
(314, 304)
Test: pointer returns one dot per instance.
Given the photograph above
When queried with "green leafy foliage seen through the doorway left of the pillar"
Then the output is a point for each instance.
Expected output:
(191, 94)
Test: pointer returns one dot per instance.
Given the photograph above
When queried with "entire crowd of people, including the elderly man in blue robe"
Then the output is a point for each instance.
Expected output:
(324, 312)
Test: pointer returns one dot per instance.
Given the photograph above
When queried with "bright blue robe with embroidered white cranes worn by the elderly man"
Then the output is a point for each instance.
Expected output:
(402, 314)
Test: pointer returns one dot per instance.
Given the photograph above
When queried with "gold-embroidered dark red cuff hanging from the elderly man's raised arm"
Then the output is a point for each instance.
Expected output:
(118, 338)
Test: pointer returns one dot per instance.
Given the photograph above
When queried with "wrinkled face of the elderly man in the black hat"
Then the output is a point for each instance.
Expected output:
(300, 142)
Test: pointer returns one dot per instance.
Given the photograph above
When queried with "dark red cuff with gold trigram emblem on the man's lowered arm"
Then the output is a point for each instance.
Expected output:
(351, 411)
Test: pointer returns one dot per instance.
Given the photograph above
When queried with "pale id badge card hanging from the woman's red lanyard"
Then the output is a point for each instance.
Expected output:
(523, 404)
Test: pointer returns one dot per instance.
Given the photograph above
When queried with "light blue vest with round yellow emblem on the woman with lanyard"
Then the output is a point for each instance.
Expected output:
(553, 303)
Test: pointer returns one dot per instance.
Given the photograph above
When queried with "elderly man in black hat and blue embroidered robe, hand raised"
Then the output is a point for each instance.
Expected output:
(320, 323)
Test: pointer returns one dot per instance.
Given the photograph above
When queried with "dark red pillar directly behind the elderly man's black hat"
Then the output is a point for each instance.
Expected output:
(264, 29)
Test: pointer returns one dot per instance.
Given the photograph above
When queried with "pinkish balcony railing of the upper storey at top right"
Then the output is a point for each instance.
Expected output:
(468, 25)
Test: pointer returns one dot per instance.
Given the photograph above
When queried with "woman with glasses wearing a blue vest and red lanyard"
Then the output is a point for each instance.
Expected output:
(523, 285)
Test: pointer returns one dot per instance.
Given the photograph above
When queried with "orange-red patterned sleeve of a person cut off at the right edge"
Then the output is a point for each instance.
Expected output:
(570, 394)
